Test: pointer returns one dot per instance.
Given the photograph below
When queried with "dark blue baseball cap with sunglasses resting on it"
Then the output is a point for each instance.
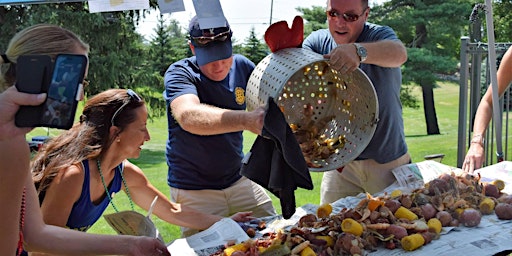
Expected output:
(210, 44)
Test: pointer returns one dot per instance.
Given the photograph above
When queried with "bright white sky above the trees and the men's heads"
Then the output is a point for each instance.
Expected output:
(242, 15)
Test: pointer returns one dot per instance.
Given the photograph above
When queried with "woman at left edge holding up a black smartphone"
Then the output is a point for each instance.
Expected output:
(21, 224)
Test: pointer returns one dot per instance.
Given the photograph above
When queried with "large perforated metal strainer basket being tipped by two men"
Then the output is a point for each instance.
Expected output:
(333, 116)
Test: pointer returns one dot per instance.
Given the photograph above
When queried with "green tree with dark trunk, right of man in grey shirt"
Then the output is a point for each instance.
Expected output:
(431, 30)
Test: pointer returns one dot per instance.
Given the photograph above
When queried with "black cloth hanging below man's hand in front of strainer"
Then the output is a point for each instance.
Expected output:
(276, 162)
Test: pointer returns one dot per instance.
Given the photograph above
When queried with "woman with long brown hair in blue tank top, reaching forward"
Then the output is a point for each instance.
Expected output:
(78, 172)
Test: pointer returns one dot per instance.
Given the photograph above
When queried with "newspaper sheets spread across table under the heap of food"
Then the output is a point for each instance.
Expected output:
(490, 237)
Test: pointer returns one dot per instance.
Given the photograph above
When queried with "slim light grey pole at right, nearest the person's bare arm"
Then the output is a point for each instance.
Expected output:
(494, 81)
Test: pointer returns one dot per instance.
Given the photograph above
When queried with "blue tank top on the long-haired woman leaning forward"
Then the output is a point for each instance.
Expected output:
(84, 212)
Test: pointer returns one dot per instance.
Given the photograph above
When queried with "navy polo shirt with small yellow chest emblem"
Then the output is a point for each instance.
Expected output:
(205, 162)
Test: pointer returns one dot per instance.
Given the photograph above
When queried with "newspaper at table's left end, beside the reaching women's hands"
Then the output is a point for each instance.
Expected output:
(210, 240)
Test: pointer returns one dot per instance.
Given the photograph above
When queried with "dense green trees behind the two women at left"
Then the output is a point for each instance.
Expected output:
(118, 57)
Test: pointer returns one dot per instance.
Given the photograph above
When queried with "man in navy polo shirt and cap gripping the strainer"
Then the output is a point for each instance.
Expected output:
(205, 96)
